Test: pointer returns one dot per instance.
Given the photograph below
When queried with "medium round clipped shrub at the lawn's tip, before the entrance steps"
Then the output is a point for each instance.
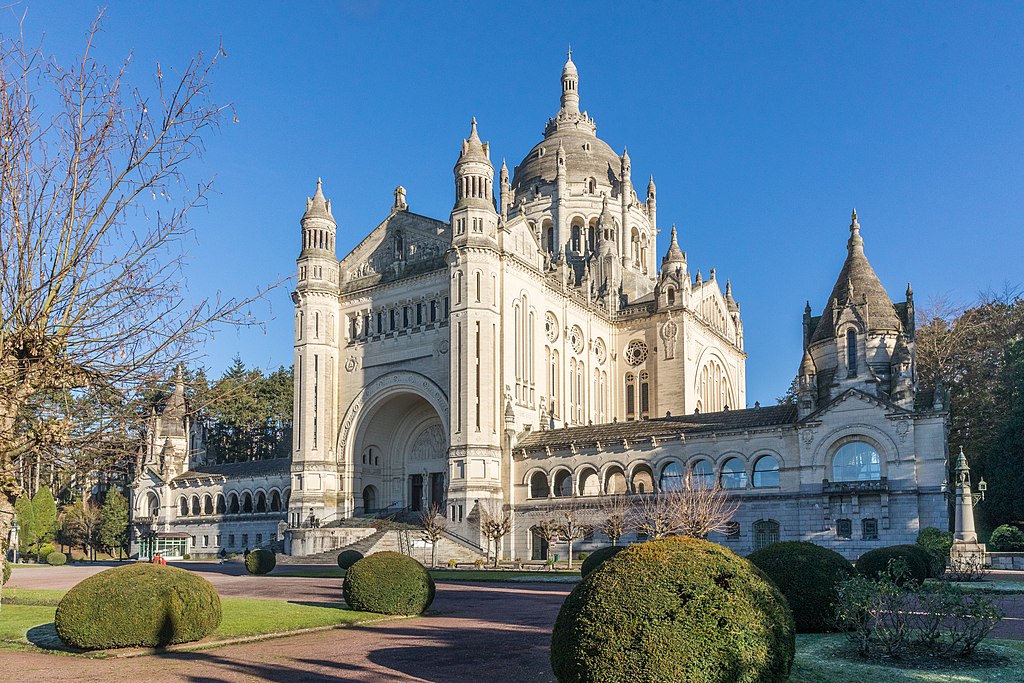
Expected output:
(389, 583)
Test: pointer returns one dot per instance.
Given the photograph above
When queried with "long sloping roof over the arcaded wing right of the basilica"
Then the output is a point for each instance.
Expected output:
(752, 418)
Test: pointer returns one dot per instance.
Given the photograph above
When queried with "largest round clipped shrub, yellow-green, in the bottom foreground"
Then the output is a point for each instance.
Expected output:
(674, 610)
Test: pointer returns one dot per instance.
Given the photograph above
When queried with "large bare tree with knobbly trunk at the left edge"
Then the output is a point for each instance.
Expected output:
(94, 232)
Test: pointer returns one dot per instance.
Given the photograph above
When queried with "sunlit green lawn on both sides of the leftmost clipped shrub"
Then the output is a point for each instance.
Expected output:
(24, 610)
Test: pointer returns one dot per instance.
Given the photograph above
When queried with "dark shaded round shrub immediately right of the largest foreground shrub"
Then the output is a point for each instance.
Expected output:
(809, 577)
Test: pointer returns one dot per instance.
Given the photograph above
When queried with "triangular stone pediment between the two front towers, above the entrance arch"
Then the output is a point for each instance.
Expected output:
(403, 244)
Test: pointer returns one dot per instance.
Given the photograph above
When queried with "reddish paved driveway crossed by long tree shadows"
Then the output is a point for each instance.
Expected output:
(492, 632)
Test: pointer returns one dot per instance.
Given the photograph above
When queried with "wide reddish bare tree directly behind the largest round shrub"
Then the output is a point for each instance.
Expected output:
(692, 509)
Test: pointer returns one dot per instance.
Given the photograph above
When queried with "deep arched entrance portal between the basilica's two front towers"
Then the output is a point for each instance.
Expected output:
(400, 456)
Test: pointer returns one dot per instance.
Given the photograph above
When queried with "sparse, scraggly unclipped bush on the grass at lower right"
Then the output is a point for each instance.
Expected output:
(895, 615)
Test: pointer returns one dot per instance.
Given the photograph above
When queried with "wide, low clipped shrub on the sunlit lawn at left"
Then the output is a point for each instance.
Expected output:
(143, 605)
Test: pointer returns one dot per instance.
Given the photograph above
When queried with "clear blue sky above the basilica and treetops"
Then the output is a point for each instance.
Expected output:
(762, 123)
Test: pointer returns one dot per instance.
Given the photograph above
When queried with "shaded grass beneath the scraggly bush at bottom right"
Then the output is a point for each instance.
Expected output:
(820, 659)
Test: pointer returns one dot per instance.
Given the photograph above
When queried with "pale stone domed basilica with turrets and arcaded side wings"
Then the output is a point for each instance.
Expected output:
(532, 352)
